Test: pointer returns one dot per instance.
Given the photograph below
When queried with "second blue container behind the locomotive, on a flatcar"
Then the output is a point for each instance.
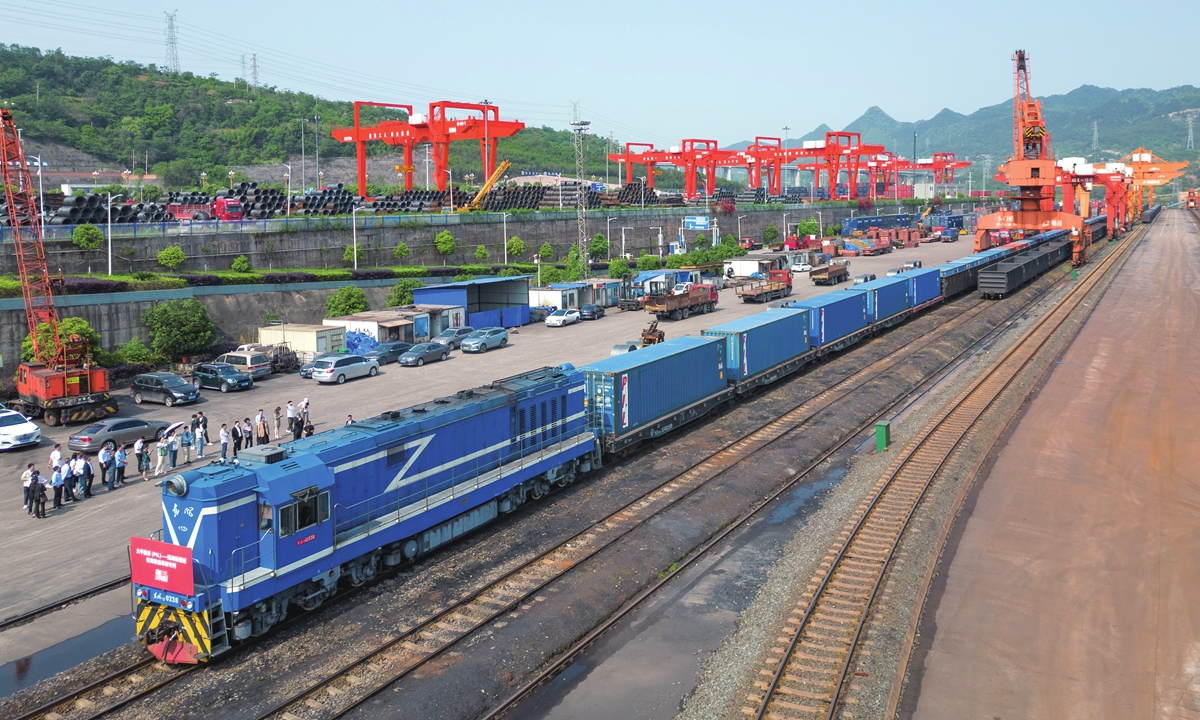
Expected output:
(763, 341)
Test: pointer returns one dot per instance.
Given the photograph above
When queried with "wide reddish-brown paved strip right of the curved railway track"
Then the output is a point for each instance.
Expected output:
(1070, 587)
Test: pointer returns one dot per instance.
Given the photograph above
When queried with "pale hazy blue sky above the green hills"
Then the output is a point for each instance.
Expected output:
(646, 71)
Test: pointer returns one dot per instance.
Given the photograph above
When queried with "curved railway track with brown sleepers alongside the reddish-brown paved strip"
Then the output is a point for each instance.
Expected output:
(812, 662)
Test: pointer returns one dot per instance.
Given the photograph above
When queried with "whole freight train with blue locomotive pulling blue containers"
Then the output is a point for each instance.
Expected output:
(245, 543)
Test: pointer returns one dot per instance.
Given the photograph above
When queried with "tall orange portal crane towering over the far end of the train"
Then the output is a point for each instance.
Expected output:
(1033, 171)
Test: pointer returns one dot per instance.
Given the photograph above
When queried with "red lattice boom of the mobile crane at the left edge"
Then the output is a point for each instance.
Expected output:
(27, 236)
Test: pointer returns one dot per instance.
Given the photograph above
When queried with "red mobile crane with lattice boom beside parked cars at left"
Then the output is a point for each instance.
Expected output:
(61, 383)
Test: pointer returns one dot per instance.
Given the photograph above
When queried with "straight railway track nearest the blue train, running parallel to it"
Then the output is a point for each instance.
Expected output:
(351, 686)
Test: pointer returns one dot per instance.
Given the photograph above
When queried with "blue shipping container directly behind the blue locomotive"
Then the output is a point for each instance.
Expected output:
(637, 389)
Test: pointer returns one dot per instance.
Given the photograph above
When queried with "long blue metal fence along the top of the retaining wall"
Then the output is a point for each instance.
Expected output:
(310, 224)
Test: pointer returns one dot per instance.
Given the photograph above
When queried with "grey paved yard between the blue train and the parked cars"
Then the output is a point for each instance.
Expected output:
(85, 545)
